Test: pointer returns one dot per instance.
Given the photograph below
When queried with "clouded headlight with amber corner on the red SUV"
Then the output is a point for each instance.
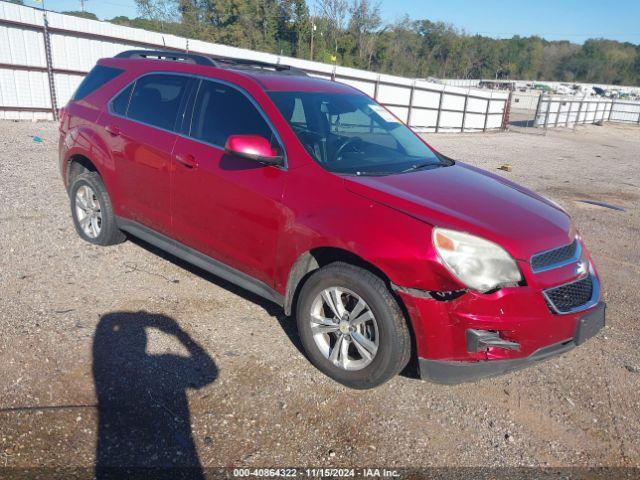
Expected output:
(478, 263)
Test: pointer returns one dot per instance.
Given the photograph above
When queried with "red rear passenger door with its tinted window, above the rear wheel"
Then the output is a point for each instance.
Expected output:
(141, 123)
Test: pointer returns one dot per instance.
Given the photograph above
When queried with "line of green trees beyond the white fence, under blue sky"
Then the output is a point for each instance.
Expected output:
(352, 33)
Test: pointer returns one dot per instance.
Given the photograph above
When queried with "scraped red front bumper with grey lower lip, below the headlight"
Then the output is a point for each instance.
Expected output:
(474, 336)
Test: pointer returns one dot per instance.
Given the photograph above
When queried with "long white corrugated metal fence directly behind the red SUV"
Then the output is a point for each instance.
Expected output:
(77, 43)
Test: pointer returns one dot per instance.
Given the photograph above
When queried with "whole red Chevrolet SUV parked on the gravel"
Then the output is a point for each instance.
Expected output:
(309, 193)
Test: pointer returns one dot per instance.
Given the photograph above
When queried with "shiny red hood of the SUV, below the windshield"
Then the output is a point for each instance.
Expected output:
(466, 198)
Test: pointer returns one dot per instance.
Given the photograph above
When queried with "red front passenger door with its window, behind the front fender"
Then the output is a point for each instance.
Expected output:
(224, 206)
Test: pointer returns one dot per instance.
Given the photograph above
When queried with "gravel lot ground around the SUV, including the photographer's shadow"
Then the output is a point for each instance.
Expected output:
(253, 398)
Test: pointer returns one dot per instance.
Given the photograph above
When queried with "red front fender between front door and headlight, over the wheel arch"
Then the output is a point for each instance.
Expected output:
(357, 226)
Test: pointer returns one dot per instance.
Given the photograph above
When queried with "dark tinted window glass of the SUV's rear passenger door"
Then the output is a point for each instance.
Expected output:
(156, 100)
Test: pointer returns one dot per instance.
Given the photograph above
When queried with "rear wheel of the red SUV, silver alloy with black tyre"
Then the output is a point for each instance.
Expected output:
(92, 211)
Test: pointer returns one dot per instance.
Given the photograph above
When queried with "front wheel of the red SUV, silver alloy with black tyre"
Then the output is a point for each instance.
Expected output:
(351, 327)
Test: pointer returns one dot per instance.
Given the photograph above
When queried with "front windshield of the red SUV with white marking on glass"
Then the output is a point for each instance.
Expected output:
(352, 134)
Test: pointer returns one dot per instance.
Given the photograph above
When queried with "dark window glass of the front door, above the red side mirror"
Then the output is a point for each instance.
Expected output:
(222, 111)
